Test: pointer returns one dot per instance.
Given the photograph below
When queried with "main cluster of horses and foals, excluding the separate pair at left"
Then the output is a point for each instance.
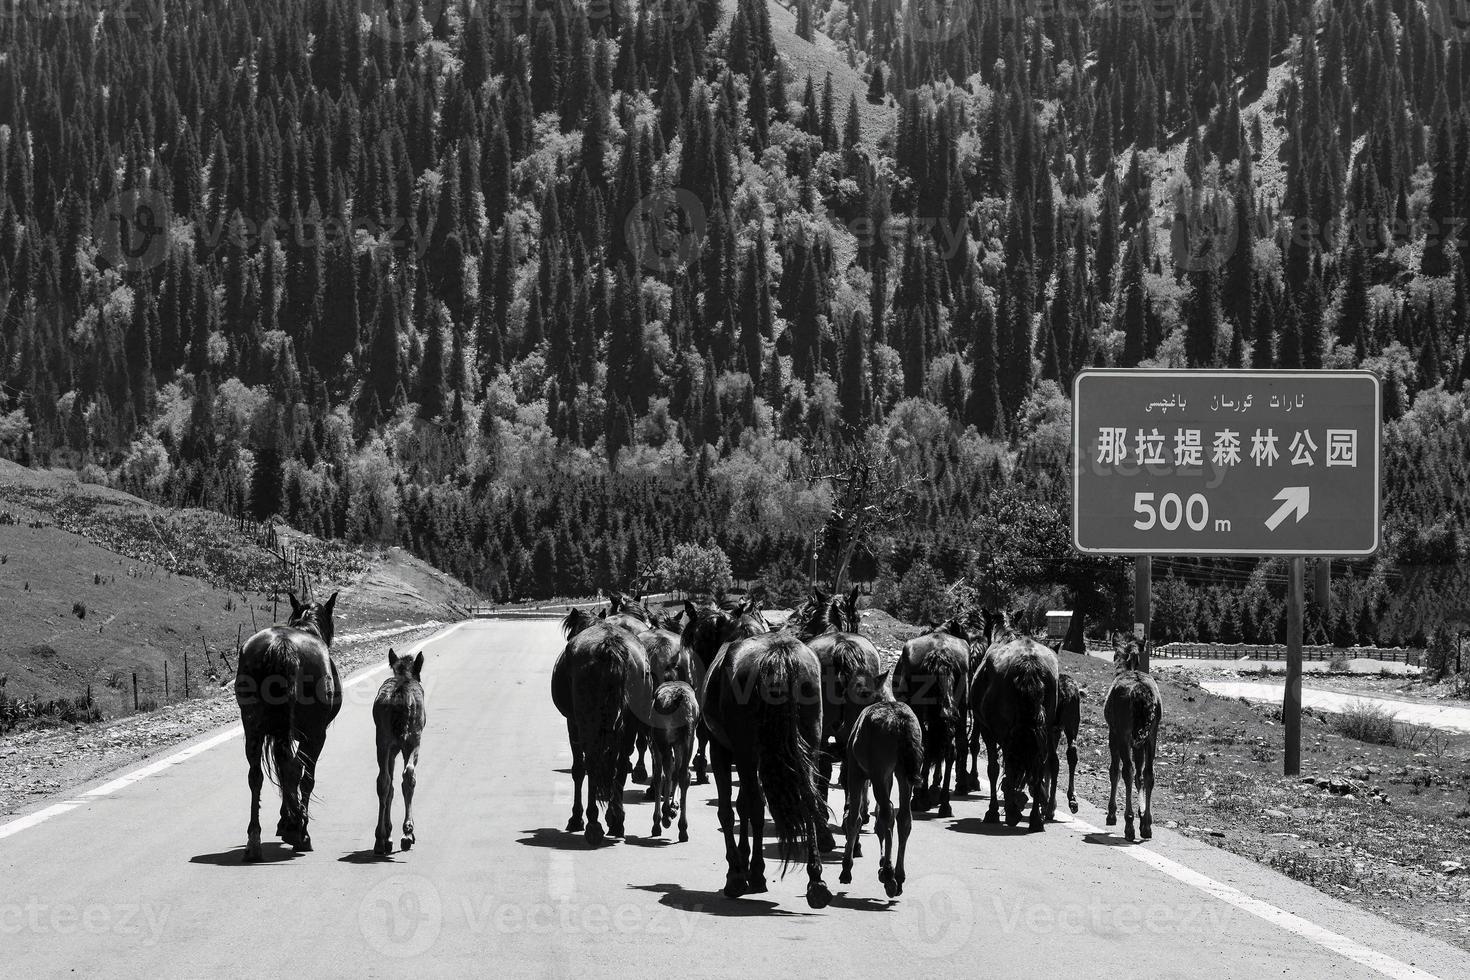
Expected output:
(718, 690)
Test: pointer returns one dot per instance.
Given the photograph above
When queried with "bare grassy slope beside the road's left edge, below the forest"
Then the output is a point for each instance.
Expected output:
(118, 556)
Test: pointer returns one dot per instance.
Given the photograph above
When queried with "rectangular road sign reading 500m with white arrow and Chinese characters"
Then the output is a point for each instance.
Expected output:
(1227, 462)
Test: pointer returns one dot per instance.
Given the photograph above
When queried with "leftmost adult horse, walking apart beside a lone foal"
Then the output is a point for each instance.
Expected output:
(289, 693)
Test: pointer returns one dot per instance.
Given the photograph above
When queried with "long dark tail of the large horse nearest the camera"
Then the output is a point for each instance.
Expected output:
(786, 760)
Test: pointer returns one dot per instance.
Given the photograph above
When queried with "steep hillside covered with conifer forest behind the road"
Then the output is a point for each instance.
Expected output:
(542, 290)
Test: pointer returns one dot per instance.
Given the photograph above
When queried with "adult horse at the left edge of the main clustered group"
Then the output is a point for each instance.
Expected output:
(603, 688)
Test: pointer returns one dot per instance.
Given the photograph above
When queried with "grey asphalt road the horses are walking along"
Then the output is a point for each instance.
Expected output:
(143, 876)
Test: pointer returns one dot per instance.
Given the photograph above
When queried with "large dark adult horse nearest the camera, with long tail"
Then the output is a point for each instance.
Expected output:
(762, 706)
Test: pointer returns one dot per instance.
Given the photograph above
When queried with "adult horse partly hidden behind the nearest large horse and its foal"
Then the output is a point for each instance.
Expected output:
(850, 680)
